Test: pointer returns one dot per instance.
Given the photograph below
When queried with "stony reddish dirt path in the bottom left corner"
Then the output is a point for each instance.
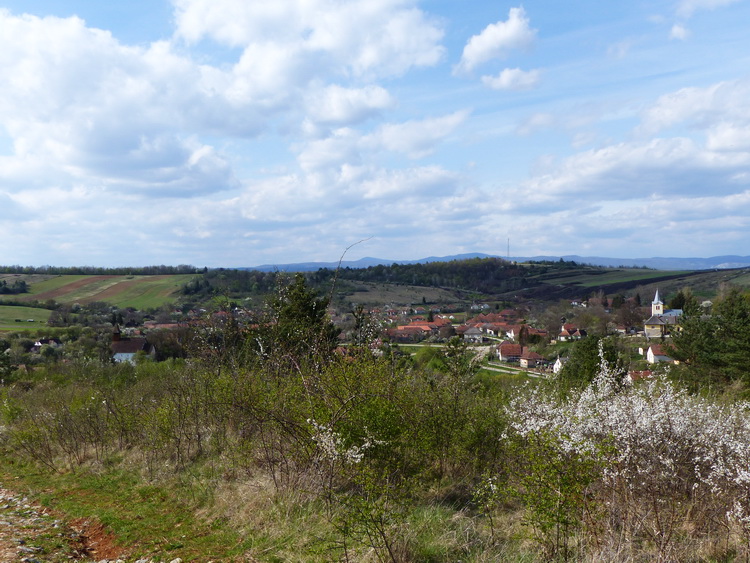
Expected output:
(31, 533)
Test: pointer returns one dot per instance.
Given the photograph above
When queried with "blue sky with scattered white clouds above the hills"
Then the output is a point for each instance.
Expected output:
(232, 133)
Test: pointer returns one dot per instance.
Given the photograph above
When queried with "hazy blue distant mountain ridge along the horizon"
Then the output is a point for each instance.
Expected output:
(657, 263)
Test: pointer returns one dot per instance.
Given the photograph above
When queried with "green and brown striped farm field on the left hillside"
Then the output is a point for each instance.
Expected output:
(140, 292)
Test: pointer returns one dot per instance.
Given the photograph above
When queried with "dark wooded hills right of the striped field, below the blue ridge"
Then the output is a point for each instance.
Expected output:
(471, 279)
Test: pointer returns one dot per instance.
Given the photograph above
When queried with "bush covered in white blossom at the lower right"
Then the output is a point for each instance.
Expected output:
(672, 464)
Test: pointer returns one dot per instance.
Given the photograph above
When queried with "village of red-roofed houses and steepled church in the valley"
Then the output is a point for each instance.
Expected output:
(503, 337)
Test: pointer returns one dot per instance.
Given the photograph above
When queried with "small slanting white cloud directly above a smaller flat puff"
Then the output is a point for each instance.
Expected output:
(496, 40)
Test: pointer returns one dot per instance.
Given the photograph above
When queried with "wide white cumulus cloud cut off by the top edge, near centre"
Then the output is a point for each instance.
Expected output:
(352, 36)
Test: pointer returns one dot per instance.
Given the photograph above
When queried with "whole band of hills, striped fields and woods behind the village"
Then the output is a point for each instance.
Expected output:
(454, 281)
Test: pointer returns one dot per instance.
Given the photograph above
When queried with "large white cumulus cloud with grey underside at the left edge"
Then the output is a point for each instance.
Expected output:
(98, 110)
